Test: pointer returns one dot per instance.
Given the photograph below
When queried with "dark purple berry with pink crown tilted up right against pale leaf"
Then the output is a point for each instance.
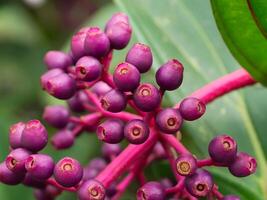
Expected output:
(170, 75)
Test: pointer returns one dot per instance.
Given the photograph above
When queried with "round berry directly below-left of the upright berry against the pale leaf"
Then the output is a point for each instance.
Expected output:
(126, 77)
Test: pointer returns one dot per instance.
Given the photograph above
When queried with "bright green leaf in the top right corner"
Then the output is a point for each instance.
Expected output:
(243, 25)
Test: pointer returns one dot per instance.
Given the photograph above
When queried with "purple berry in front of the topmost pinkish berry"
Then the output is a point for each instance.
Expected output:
(119, 34)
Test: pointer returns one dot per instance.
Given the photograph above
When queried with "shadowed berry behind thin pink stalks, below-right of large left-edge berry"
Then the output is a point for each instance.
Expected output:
(76, 103)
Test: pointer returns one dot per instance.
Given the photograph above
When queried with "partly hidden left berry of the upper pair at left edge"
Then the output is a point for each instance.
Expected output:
(15, 132)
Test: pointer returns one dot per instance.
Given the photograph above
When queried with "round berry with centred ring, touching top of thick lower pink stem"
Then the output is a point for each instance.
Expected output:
(136, 131)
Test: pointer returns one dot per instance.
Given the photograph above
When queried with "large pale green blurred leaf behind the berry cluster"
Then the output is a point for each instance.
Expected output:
(185, 29)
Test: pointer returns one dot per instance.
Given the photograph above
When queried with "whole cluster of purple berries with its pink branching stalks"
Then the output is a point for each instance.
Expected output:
(97, 102)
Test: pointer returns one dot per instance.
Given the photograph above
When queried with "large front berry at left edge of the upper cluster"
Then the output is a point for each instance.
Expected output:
(61, 86)
